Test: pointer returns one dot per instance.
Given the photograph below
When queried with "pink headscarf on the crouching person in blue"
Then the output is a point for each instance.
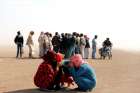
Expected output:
(77, 60)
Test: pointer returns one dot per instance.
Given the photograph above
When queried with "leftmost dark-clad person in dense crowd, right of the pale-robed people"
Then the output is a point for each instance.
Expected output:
(56, 42)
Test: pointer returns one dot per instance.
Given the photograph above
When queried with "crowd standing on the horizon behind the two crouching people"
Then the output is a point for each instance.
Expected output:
(68, 44)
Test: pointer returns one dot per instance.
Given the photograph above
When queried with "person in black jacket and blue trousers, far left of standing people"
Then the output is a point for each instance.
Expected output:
(19, 42)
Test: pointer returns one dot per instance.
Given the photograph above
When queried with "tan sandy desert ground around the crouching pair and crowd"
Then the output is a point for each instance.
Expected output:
(120, 75)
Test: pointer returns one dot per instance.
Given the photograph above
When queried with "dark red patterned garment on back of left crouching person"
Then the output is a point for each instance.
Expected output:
(45, 76)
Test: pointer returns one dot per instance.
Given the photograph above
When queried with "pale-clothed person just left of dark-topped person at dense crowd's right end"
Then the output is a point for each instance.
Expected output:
(82, 44)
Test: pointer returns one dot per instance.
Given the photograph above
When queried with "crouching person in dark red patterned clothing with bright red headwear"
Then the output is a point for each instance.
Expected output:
(48, 74)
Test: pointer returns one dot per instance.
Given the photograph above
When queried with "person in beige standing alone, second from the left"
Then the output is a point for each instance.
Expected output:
(30, 44)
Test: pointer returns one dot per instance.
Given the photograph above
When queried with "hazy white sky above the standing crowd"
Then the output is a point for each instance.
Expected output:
(117, 19)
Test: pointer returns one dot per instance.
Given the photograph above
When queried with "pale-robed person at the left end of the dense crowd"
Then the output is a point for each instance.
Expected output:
(41, 43)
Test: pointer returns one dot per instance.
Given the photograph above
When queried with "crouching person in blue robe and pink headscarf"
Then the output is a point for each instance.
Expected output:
(83, 74)
